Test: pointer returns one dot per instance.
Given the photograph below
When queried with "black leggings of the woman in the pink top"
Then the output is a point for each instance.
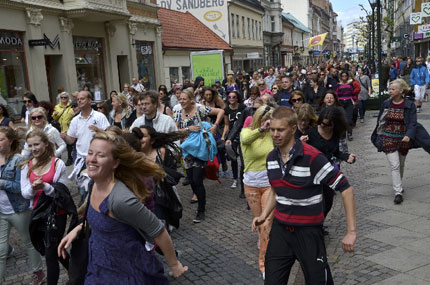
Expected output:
(51, 255)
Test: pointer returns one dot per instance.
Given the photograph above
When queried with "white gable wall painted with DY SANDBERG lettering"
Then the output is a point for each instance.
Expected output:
(214, 13)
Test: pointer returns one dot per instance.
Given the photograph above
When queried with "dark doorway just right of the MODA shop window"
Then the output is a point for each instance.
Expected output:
(54, 75)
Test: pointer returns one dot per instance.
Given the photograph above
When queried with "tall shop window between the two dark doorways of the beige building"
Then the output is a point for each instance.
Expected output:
(90, 66)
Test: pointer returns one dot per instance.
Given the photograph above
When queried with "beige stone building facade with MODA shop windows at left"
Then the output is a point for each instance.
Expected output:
(51, 44)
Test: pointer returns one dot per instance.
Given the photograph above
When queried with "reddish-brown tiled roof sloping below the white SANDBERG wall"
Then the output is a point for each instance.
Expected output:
(183, 30)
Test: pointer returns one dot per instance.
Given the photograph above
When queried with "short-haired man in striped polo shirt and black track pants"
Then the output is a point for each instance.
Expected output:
(297, 173)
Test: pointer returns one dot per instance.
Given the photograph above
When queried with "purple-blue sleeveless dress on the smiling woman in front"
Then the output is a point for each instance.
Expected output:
(117, 254)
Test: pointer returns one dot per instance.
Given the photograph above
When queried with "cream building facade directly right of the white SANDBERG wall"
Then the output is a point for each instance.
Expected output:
(246, 34)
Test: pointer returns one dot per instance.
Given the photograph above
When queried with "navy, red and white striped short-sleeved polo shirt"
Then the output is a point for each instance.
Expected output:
(299, 184)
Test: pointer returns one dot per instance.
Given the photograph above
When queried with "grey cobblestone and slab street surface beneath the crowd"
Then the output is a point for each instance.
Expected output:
(392, 246)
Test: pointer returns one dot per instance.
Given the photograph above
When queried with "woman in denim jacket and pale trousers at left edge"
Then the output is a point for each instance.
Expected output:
(14, 208)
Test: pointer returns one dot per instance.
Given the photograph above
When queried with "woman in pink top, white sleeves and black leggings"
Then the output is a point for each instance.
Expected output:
(38, 174)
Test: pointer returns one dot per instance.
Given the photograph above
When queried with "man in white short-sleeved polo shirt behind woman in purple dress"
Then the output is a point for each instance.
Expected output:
(83, 126)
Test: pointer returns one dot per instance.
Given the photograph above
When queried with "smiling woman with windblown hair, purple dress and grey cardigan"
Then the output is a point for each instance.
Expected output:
(119, 219)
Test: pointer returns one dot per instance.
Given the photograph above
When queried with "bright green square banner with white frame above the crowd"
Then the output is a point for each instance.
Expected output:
(207, 64)
